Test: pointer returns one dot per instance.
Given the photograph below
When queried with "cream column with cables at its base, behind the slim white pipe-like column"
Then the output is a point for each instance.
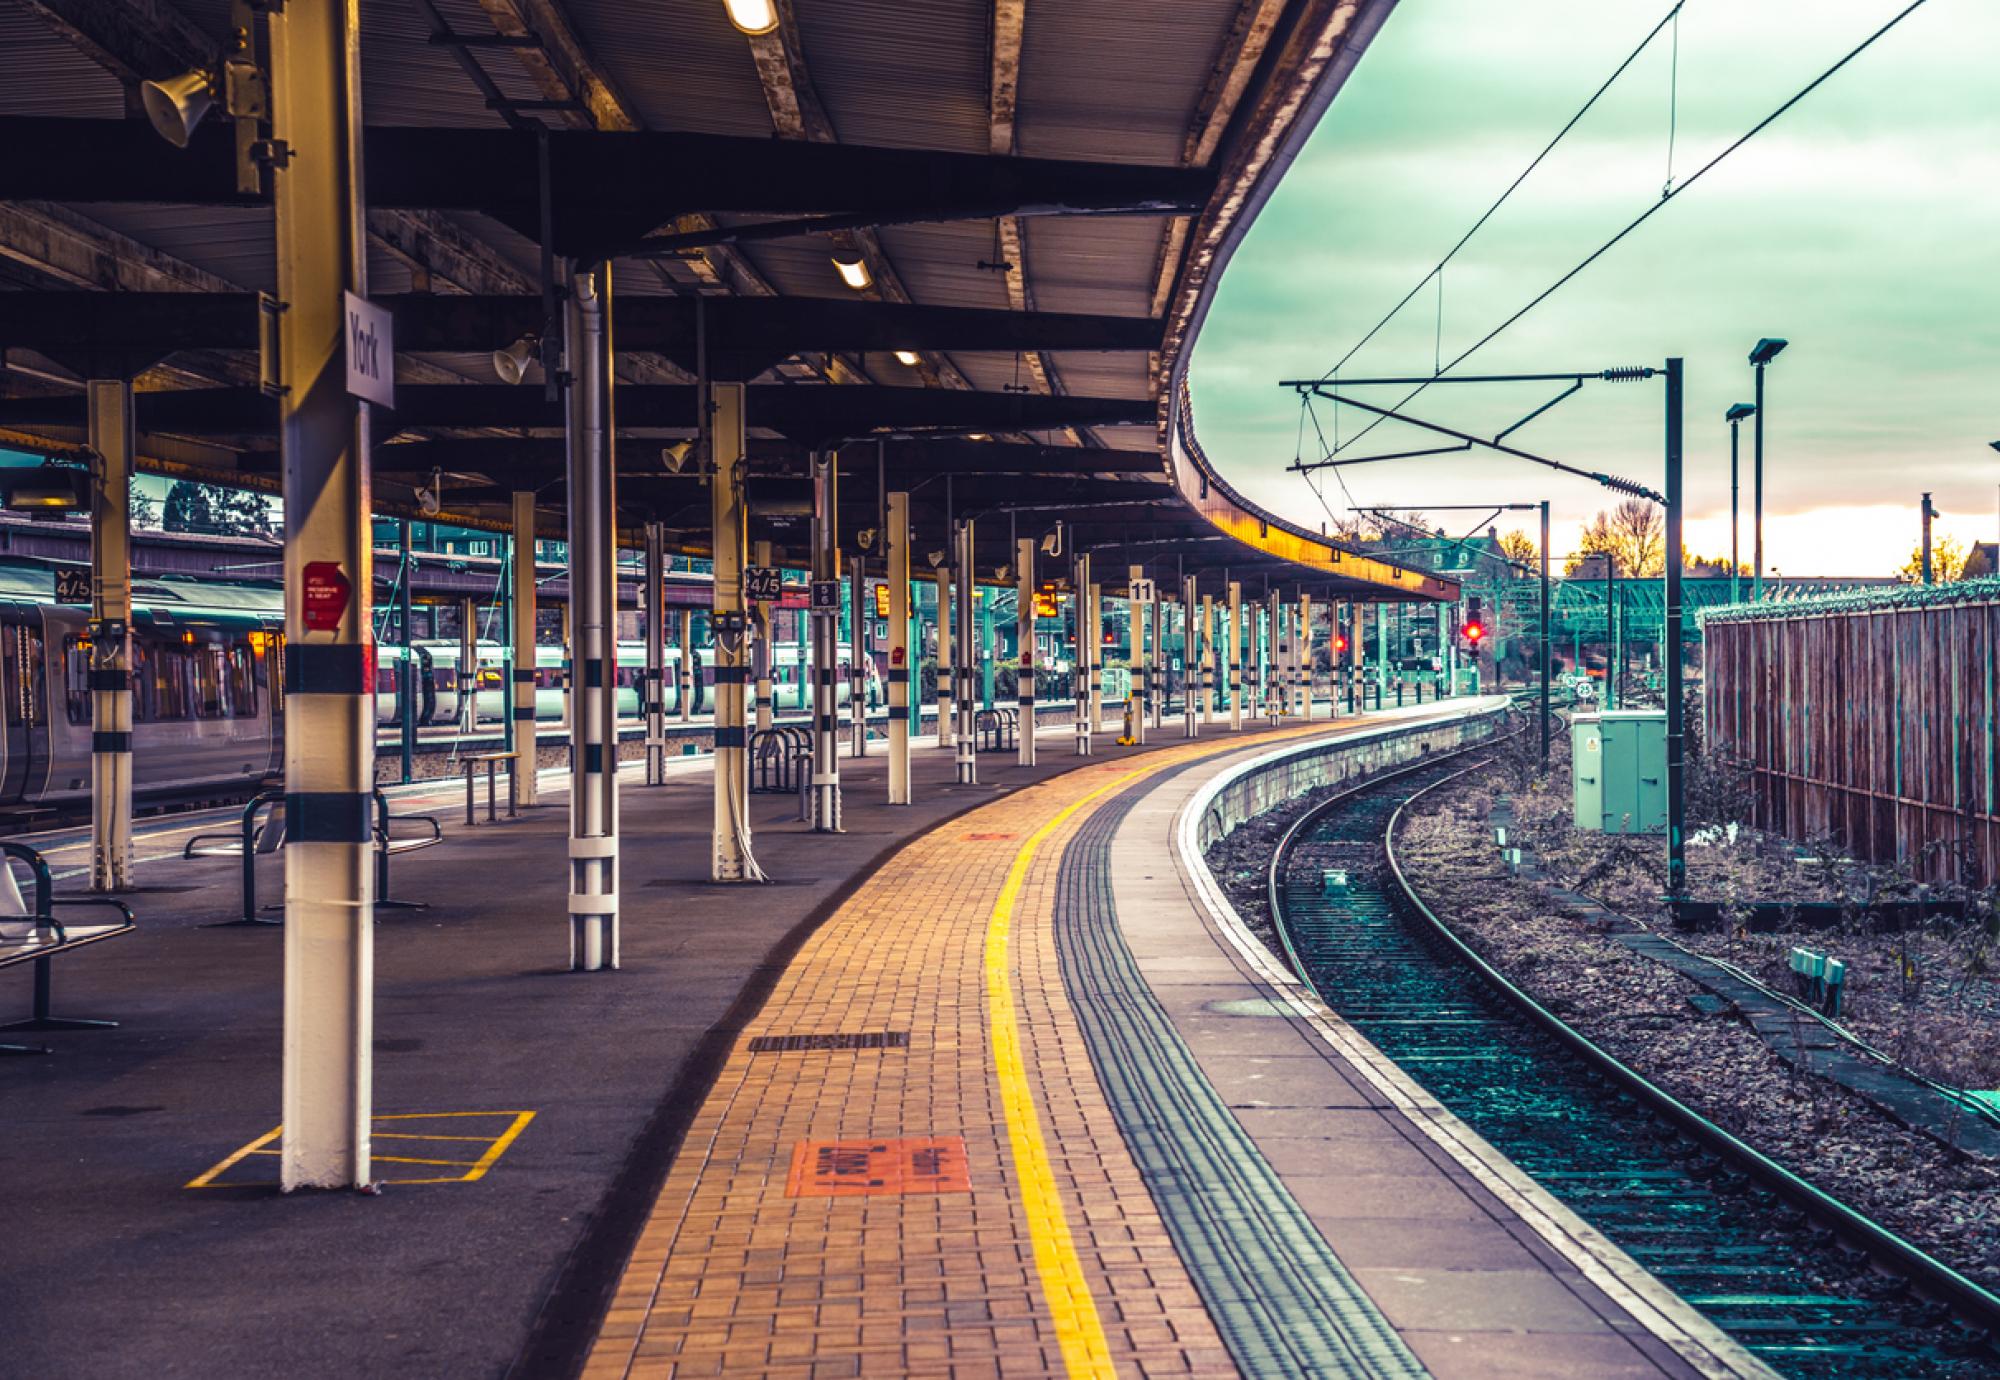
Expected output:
(731, 859)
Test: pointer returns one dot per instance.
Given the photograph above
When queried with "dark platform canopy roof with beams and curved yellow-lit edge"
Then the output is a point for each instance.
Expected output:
(1041, 203)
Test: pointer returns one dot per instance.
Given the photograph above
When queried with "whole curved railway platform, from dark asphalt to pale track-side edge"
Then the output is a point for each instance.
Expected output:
(983, 1085)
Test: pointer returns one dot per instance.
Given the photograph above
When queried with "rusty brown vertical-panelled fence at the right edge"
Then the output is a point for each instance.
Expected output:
(1867, 719)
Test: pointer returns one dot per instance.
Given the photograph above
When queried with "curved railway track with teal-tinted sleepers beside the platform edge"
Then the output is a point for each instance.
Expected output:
(1805, 1283)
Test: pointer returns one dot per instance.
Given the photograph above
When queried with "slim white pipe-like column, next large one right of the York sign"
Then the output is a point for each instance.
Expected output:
(593, 625)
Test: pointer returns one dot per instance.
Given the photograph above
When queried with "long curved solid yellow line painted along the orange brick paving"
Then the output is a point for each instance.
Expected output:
(1079, 1329)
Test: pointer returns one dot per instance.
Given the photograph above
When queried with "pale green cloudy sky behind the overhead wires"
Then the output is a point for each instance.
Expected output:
(1863, 227)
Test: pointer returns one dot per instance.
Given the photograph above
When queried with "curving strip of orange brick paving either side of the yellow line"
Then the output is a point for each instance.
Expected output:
(735, 1277)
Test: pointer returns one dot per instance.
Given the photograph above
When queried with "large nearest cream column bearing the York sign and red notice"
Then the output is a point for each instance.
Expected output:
(329, 713)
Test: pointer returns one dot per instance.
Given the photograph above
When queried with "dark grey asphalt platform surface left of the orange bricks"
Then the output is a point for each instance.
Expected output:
(111, 1267)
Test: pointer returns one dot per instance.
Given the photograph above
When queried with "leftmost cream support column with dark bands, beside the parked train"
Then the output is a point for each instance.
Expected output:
(111, 635)
